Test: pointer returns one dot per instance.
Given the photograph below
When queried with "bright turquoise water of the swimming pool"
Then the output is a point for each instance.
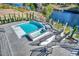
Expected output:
(31, 26)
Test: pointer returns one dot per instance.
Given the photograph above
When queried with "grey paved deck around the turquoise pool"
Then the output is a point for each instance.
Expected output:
(10, 44)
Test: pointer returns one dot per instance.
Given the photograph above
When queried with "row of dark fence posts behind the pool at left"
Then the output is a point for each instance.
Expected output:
(13, 17)
